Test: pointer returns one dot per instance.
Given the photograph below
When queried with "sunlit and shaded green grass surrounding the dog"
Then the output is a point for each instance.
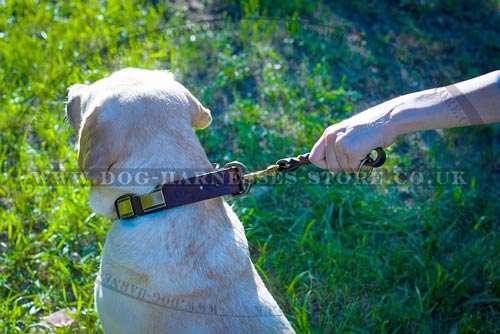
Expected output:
(340, 258)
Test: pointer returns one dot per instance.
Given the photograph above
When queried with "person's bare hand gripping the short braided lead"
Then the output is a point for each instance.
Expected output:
(343, 145)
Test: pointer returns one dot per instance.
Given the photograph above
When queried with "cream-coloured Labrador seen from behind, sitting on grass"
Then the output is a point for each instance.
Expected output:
(181, 270)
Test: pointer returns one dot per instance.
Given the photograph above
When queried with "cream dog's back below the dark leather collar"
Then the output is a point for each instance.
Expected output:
(201, 283)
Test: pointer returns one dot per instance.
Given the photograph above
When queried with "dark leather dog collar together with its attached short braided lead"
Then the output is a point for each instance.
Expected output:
(234, 179)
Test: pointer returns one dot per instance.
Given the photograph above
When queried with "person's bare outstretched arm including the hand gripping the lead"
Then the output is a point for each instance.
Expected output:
(343, 145)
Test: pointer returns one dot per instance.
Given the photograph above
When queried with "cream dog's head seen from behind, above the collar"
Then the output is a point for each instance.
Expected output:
(135, 119)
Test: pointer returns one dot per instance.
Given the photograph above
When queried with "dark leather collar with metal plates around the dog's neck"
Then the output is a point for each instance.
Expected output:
(227, 181)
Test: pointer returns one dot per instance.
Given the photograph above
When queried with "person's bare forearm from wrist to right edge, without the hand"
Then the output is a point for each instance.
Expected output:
(471, 102)
